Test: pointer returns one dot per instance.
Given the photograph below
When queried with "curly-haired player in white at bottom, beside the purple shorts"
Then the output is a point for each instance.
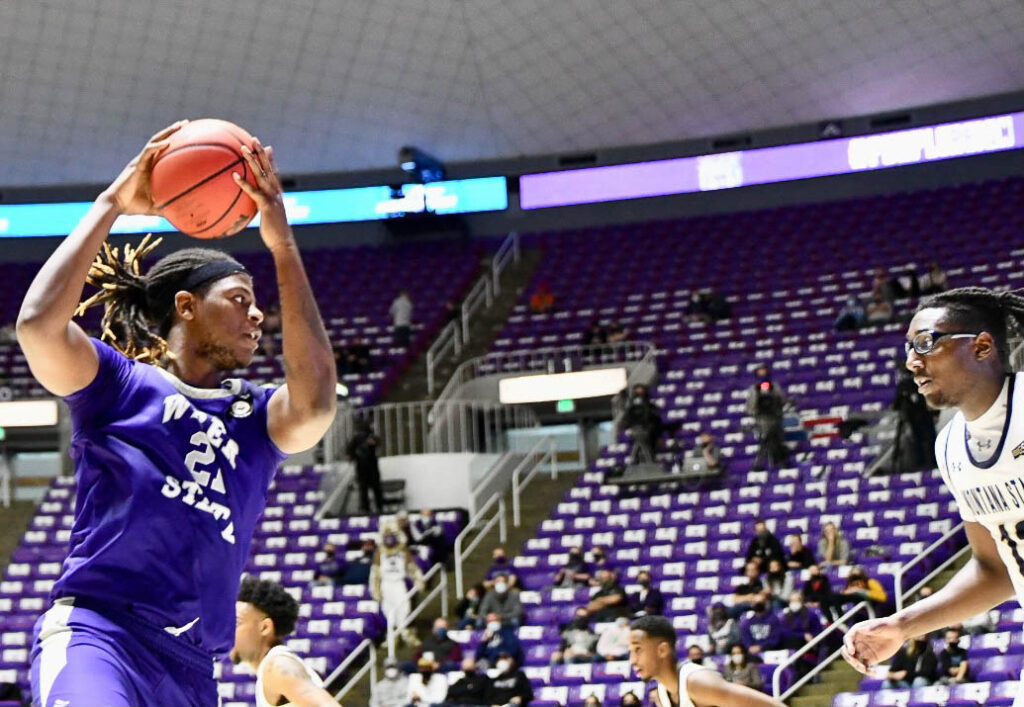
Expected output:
(266, 614)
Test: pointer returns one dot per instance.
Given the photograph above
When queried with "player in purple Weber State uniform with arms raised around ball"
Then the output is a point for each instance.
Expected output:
(173, 463)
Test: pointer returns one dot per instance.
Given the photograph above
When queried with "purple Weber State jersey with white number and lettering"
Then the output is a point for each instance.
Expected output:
(172, 481)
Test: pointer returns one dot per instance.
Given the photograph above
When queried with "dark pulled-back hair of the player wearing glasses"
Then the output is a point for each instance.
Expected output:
(978, 309)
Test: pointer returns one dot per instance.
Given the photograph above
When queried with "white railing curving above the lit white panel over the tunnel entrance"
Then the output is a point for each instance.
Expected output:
(549, 360)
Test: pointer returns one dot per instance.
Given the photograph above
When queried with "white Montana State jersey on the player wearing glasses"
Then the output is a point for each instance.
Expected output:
(990, 490)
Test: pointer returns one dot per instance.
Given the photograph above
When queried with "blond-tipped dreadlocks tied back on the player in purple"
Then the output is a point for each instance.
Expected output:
(140, 309)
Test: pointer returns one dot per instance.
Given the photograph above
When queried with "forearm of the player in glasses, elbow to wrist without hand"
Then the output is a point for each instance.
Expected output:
(975, 589)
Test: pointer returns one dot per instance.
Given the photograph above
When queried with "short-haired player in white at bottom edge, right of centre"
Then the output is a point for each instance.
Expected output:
(653, 655)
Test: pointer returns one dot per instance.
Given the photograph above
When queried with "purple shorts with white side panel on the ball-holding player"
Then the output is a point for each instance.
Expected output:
(81, 658)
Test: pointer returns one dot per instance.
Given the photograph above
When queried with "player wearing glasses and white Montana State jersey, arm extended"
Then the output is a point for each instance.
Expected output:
(958, 351)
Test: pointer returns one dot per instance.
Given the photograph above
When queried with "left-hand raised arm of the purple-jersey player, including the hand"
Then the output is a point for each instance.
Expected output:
(59, 352)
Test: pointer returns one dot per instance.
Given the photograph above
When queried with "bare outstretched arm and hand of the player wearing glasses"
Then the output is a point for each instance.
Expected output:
(982, 585)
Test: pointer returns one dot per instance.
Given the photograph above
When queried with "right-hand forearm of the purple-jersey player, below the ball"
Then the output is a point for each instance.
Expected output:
(310, 369)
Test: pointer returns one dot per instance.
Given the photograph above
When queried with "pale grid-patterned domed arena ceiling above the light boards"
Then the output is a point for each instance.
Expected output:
(342, 85)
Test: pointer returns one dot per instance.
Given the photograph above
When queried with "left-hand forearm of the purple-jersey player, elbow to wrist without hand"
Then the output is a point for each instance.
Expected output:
(55, 294)
